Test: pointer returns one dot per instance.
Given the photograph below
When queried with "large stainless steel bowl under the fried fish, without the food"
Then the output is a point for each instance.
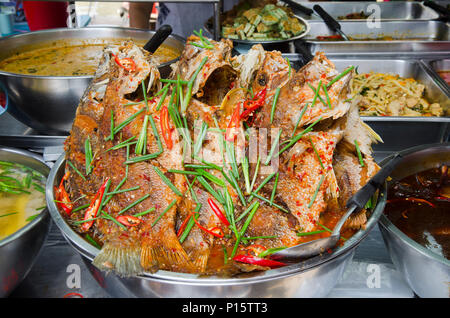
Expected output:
(314, 277)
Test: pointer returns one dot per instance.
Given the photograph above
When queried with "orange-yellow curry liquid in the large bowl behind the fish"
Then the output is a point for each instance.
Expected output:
(63, 59)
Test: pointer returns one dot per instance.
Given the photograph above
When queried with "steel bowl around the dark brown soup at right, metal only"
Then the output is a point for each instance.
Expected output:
(427, 273)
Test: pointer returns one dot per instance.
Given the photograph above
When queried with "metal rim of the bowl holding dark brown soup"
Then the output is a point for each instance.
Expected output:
(390, 227)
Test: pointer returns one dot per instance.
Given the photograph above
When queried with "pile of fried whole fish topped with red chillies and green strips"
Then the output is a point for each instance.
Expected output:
(213, 169)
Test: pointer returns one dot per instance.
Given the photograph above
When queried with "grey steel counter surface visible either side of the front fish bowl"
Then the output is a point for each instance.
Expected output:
(60, 270)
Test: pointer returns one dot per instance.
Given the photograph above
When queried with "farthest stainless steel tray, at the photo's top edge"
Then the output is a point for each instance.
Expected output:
(398, 10)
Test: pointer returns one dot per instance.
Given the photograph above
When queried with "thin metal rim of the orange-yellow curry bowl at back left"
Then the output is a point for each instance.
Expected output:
(47, 77)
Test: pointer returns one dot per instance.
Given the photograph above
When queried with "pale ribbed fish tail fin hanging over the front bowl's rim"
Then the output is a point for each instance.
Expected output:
(124, 260)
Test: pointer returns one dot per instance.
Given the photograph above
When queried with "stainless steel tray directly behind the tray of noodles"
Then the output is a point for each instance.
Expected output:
(413, 37)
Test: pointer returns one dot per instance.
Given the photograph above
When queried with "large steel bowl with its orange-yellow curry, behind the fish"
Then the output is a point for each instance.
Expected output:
(46, 72)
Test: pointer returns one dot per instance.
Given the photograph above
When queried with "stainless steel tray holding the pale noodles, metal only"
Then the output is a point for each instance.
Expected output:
(400, 132)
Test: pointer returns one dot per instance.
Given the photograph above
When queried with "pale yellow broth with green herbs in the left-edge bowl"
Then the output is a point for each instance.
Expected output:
(21, 197)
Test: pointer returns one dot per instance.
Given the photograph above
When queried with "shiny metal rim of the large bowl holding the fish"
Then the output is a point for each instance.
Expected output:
(89, 251)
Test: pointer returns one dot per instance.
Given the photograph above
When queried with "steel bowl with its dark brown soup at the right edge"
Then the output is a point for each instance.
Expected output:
(416, 222)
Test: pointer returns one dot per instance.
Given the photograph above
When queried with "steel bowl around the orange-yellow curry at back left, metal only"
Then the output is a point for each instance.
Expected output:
(48, 103)
